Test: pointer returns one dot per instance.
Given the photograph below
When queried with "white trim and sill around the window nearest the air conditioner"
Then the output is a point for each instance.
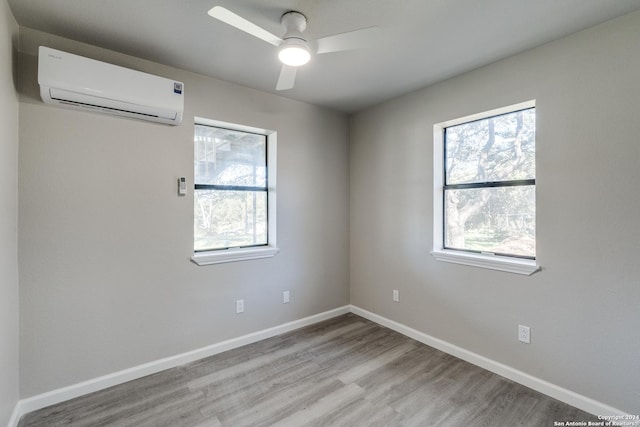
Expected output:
(256, 252)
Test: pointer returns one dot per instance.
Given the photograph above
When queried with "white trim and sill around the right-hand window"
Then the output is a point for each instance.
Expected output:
(488, 261)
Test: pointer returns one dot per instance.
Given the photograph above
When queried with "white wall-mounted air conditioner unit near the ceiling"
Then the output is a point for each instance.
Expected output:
(72, 81)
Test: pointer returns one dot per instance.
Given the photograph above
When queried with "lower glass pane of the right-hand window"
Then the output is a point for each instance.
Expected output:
(499, 220)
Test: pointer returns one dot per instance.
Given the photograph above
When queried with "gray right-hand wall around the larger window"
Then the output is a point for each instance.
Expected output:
(583, 307)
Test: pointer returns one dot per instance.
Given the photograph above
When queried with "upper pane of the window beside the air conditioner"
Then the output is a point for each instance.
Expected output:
(228, 157)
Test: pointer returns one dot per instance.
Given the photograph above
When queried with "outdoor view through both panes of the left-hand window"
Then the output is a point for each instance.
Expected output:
(230, 215)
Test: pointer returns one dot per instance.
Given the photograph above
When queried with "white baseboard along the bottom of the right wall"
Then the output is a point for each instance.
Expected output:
(562, 394)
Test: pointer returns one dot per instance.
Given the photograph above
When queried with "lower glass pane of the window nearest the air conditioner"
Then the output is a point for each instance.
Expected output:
(227, 219)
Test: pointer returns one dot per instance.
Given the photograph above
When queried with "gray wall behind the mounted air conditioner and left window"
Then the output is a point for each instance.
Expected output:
(105, 277)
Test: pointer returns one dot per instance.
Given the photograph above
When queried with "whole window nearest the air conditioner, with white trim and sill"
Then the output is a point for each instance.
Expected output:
(234, 205)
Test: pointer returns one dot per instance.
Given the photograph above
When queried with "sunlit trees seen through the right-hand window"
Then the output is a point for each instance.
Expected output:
(498, 219)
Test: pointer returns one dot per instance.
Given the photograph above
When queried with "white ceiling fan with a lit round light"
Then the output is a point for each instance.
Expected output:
(293, 49)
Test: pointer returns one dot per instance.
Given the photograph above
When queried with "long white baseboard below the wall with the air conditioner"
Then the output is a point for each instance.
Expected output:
(40, 401)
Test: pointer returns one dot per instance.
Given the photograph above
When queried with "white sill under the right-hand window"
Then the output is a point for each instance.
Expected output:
(492, 262)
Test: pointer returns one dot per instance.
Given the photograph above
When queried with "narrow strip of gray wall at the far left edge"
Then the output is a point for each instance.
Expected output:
(8, 215)
